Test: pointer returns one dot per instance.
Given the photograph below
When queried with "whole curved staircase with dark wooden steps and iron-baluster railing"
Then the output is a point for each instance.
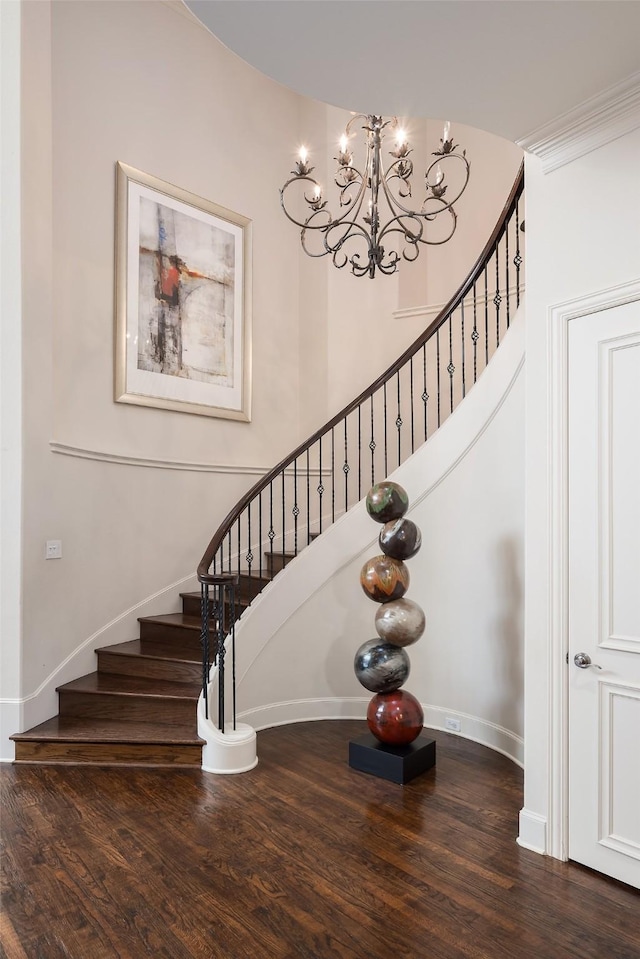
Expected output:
(140, 706)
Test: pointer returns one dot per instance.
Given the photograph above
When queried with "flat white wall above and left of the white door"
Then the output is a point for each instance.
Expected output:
(578, 242)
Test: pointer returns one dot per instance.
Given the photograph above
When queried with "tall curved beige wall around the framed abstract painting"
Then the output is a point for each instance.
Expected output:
(140, 491)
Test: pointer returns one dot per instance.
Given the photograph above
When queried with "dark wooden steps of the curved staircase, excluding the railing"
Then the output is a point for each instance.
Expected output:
(139, 707)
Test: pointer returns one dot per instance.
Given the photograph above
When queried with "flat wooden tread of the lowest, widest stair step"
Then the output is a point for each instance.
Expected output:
(74, 729)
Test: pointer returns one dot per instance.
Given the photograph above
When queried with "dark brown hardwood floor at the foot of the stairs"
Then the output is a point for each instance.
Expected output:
(302, 858)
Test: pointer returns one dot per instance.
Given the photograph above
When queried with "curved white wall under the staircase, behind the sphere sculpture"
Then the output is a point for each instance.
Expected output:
(297, 642)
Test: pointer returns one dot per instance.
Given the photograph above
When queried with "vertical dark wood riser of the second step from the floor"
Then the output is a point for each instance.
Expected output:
(129, 707)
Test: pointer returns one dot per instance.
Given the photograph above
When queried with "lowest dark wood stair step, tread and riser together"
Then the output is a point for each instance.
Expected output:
(69, 739)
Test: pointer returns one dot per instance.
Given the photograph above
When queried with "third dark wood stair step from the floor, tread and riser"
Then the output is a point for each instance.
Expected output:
(130, 659)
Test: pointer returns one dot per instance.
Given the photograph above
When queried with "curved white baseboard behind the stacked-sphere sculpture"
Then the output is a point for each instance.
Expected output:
(355, 707)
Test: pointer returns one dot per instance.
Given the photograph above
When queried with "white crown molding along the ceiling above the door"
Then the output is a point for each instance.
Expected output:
(590, 125)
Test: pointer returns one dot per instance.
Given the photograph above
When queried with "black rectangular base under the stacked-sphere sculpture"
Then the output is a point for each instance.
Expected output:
(398, 764)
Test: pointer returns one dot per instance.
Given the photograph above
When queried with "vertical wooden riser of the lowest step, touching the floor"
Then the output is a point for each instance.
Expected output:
(103, 754)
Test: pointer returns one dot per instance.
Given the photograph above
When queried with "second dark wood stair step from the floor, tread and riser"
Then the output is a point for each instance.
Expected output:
(112, 696)
